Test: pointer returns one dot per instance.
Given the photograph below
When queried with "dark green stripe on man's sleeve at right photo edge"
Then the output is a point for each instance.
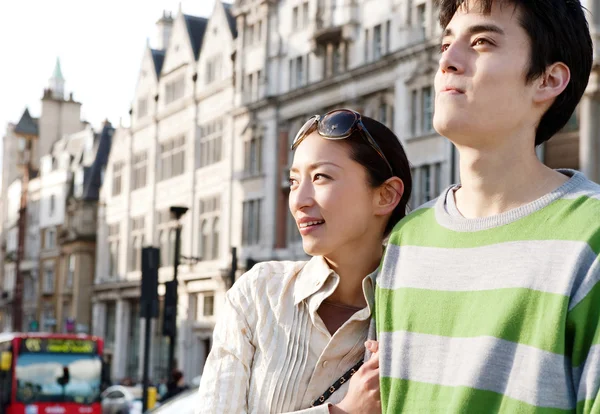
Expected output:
(583, 324)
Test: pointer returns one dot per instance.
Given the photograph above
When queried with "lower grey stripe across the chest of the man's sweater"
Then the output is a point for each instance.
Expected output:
(518, 371)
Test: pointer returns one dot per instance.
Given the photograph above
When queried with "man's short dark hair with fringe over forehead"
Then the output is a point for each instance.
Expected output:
(558, 32)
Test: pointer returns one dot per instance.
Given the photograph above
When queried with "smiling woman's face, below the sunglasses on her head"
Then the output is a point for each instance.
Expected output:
(330, 198)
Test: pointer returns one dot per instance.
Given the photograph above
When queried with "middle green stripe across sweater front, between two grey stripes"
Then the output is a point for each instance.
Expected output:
(519, 315)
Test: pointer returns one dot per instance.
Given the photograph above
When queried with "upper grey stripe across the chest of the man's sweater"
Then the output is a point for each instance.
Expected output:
(499, 266)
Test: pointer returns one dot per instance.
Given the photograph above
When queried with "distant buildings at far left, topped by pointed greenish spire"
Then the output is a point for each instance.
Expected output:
(51, 178)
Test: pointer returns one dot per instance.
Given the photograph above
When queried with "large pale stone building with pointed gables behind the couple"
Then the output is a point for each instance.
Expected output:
(216, 106)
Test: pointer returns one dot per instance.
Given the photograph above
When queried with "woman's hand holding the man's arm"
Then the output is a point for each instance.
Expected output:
(363, 393)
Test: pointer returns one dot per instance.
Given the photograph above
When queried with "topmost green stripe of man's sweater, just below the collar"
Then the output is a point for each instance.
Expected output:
(557, 221)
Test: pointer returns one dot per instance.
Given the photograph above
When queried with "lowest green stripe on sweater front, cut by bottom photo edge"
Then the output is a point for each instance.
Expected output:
(418, 397)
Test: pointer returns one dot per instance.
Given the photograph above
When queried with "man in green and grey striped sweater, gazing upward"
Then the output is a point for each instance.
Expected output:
(488, 298)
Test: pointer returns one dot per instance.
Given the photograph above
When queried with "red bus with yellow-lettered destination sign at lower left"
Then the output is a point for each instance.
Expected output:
(50, 373)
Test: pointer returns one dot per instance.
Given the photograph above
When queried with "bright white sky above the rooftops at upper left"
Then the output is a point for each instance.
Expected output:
(100, 45)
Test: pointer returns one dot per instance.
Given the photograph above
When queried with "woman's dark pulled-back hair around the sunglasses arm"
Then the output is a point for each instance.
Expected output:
(378, 172)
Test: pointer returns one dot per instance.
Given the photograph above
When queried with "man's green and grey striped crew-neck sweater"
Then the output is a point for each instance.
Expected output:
(500, 314)
